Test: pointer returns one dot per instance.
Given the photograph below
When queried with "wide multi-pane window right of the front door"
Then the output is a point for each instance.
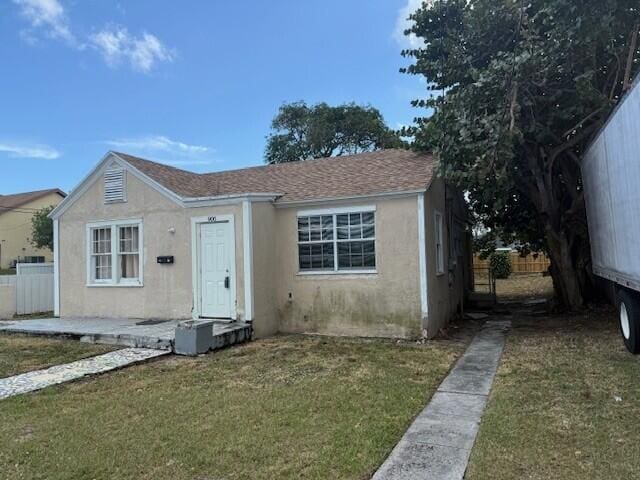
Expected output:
(340, 241)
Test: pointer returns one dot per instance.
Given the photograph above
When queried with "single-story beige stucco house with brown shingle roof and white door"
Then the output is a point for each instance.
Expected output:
(368, 245)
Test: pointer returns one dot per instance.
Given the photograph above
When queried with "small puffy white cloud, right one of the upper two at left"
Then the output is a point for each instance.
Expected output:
(116, 45)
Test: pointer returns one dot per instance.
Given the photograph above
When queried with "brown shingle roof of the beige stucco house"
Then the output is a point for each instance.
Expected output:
(384, 171)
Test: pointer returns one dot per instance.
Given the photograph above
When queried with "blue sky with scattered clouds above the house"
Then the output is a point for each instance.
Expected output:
(190, 83)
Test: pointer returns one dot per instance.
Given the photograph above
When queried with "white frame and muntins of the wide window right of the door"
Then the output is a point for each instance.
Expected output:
(334, 212)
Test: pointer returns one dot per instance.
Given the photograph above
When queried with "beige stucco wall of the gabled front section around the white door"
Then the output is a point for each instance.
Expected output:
(167, 291)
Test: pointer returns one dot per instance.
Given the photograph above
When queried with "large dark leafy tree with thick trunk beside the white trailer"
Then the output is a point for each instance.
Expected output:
(519, 90)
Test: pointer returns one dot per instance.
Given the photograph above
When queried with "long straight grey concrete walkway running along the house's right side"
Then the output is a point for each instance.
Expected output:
(438, 443)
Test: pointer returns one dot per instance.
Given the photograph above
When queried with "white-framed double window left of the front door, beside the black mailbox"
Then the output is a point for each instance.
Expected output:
(114, 251)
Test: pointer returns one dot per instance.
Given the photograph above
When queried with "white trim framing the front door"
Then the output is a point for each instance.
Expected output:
(195, 260)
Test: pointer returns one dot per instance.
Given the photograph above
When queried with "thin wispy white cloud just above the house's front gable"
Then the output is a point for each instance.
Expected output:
(179, 153)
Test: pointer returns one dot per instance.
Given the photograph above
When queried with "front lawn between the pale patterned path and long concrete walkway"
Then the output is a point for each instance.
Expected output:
(288, 407)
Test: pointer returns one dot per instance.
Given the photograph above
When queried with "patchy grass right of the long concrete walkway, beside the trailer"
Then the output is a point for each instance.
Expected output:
(565, 404)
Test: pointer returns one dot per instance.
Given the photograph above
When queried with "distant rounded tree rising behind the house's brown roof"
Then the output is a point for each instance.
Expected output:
(302, 132)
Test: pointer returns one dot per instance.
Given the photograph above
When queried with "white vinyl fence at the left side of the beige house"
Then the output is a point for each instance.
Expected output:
(33, 288)
